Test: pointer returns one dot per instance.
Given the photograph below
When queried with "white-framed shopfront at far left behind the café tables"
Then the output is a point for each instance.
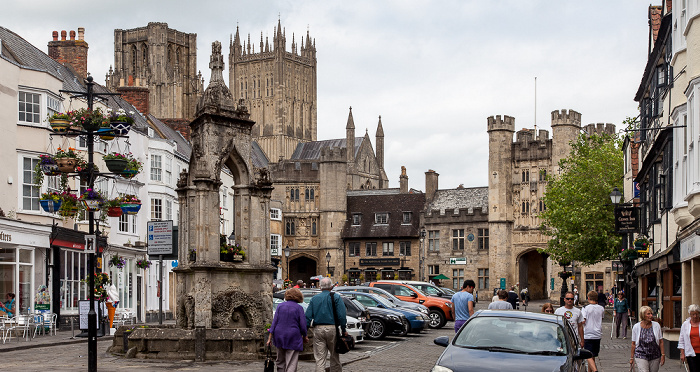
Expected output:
(23, 248)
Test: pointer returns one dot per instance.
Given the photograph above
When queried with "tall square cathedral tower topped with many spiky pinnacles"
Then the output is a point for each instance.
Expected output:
(280, 87)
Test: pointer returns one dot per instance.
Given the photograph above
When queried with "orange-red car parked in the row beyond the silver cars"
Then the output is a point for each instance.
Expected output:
(440, 309)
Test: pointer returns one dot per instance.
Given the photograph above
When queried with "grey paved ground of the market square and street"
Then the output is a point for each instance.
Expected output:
(416, 352)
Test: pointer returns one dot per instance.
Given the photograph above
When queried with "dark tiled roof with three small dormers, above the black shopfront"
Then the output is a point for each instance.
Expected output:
(369, 203)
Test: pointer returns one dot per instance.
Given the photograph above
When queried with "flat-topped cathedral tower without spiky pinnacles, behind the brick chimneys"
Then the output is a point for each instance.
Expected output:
(162, 60)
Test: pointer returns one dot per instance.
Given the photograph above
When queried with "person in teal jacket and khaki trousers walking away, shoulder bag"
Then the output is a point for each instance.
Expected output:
(319, 316)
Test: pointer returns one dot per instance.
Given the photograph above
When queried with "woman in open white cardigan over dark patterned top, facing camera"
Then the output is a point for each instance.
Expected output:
(647, 345)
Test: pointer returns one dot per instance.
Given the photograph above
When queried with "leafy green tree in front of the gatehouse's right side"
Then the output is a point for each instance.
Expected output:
(578, 212)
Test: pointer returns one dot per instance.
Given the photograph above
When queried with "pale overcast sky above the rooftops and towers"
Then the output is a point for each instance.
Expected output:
(434, 70)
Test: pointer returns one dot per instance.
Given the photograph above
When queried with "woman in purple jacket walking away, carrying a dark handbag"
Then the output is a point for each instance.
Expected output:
(288, 331)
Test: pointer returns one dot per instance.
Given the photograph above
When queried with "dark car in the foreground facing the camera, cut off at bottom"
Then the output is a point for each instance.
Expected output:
(498, 340)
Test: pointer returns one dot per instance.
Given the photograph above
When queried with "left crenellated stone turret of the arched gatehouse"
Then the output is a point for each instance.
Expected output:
(500, 212)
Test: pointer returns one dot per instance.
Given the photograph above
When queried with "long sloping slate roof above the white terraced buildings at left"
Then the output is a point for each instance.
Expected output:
(16, 50)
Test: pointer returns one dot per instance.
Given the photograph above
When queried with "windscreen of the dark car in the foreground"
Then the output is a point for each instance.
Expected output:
(513, 335)
